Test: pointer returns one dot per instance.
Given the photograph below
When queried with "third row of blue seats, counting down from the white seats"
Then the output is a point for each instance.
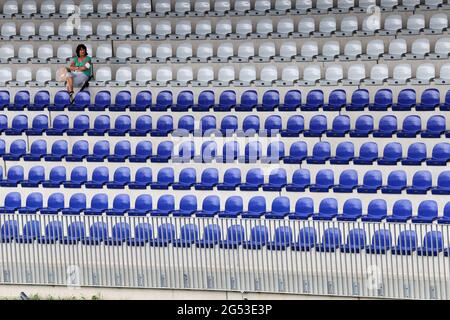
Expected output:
(188, 152)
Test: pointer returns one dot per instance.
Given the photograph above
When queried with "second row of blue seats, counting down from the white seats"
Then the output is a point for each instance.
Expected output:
(318, 126)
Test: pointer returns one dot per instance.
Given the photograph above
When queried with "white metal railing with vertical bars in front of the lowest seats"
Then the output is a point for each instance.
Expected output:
(370, 259)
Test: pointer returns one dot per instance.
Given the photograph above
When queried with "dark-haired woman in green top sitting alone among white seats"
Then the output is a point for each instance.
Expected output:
(80, 69)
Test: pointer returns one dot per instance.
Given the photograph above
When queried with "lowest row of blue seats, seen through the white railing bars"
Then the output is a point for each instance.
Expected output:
(189, 235)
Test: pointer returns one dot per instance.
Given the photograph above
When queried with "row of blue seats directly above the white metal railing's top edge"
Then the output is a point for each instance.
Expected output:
(402, 211)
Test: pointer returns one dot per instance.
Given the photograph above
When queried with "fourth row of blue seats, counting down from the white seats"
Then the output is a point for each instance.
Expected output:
(210, 179)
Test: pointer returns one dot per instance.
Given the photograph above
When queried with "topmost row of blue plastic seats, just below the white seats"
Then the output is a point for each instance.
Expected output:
(314, 100)
